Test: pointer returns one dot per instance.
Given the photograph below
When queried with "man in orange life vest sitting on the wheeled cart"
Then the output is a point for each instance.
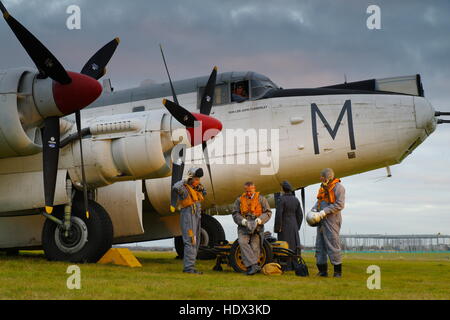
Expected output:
(251, 212)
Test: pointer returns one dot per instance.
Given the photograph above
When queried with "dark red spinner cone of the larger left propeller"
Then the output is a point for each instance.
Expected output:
(80, 93)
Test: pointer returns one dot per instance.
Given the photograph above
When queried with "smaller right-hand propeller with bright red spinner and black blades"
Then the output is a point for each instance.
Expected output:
(189, 120)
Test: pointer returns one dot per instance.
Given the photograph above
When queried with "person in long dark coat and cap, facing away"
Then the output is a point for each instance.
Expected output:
(288, 219)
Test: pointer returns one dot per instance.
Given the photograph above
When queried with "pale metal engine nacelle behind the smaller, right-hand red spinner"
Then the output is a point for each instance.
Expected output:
(126, 147)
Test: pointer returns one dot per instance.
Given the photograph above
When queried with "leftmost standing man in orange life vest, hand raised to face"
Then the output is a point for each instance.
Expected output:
(190, 195)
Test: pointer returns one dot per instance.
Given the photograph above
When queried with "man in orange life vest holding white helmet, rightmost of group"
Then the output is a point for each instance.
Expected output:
(326, 214)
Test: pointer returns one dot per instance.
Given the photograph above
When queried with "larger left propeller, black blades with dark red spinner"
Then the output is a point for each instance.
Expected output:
(71, 93)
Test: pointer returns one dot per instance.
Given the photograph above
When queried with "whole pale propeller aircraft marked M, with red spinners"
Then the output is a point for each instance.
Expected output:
(123, 173)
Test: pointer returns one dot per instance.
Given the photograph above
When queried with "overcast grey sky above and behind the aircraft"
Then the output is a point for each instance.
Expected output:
(296, 44)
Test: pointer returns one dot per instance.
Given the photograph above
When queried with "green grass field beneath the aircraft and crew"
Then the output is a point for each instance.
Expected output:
(403, 276)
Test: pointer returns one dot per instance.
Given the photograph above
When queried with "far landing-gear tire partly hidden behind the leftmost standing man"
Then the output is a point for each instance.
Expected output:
(215, 234)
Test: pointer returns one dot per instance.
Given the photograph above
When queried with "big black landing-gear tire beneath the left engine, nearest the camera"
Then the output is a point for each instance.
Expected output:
(89, 239)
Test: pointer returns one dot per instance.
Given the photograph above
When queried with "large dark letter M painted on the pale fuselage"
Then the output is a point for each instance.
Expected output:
(347, 108)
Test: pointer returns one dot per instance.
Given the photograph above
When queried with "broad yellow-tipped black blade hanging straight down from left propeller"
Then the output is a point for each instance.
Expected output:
(50, 157)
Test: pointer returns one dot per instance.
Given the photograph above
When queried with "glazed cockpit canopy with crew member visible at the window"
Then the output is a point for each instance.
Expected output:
(239, 87)
